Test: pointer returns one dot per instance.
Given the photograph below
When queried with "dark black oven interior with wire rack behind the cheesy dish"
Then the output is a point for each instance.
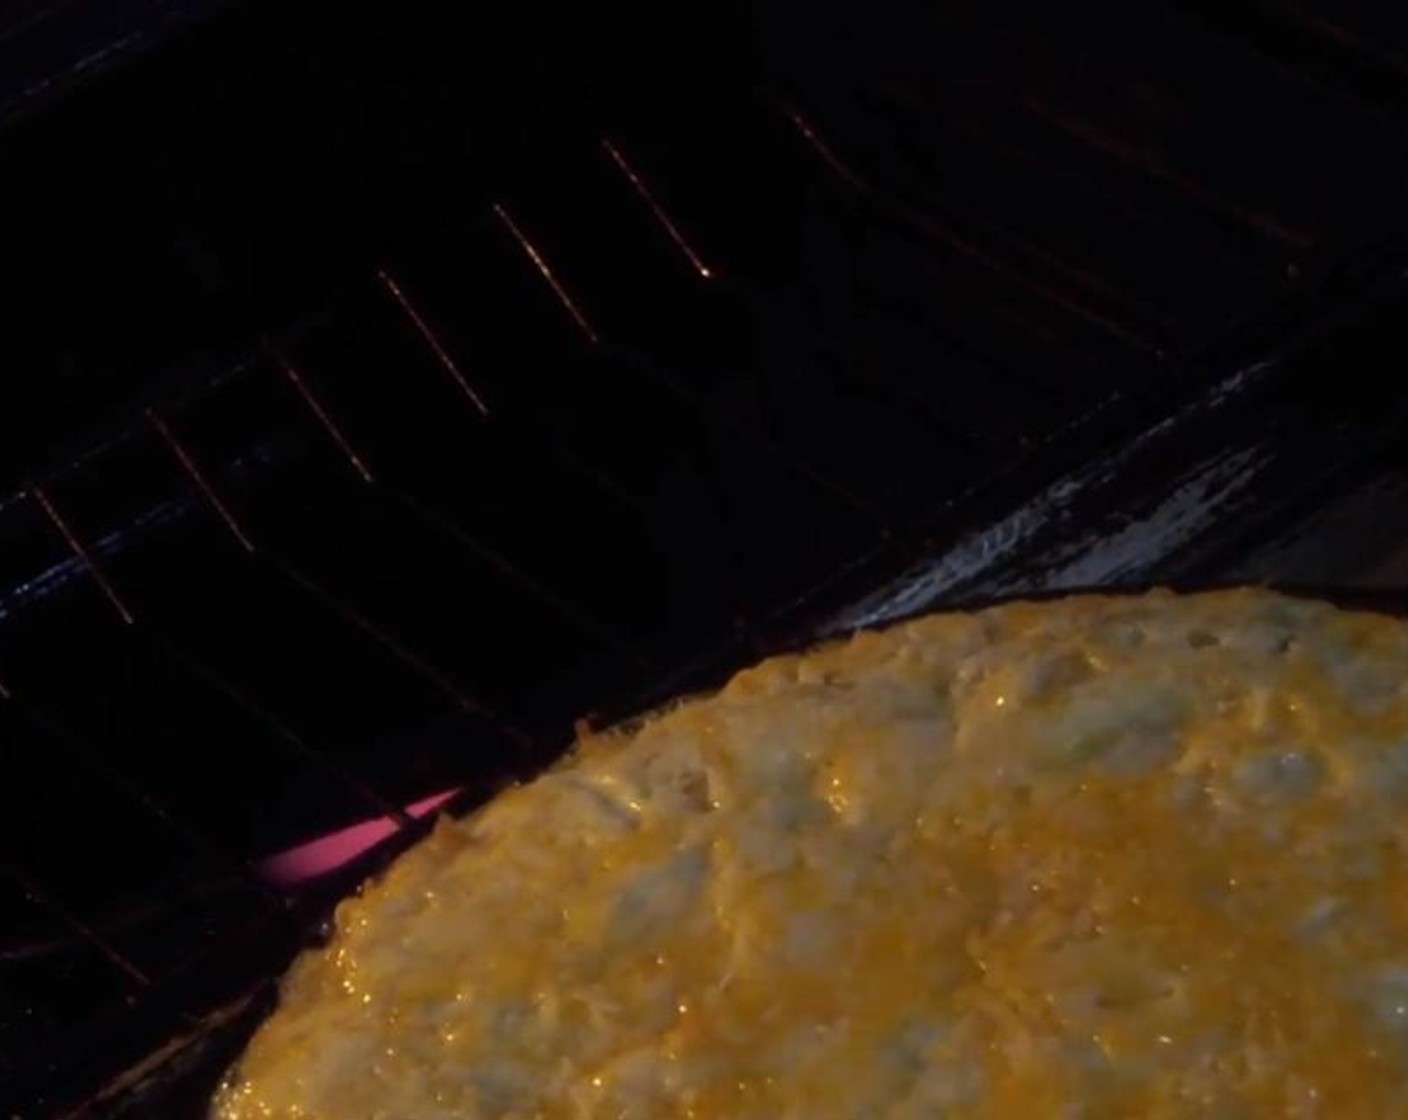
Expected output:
(392, 395)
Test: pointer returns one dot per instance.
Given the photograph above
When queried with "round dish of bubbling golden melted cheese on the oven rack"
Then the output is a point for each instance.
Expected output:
(1102, 857)
